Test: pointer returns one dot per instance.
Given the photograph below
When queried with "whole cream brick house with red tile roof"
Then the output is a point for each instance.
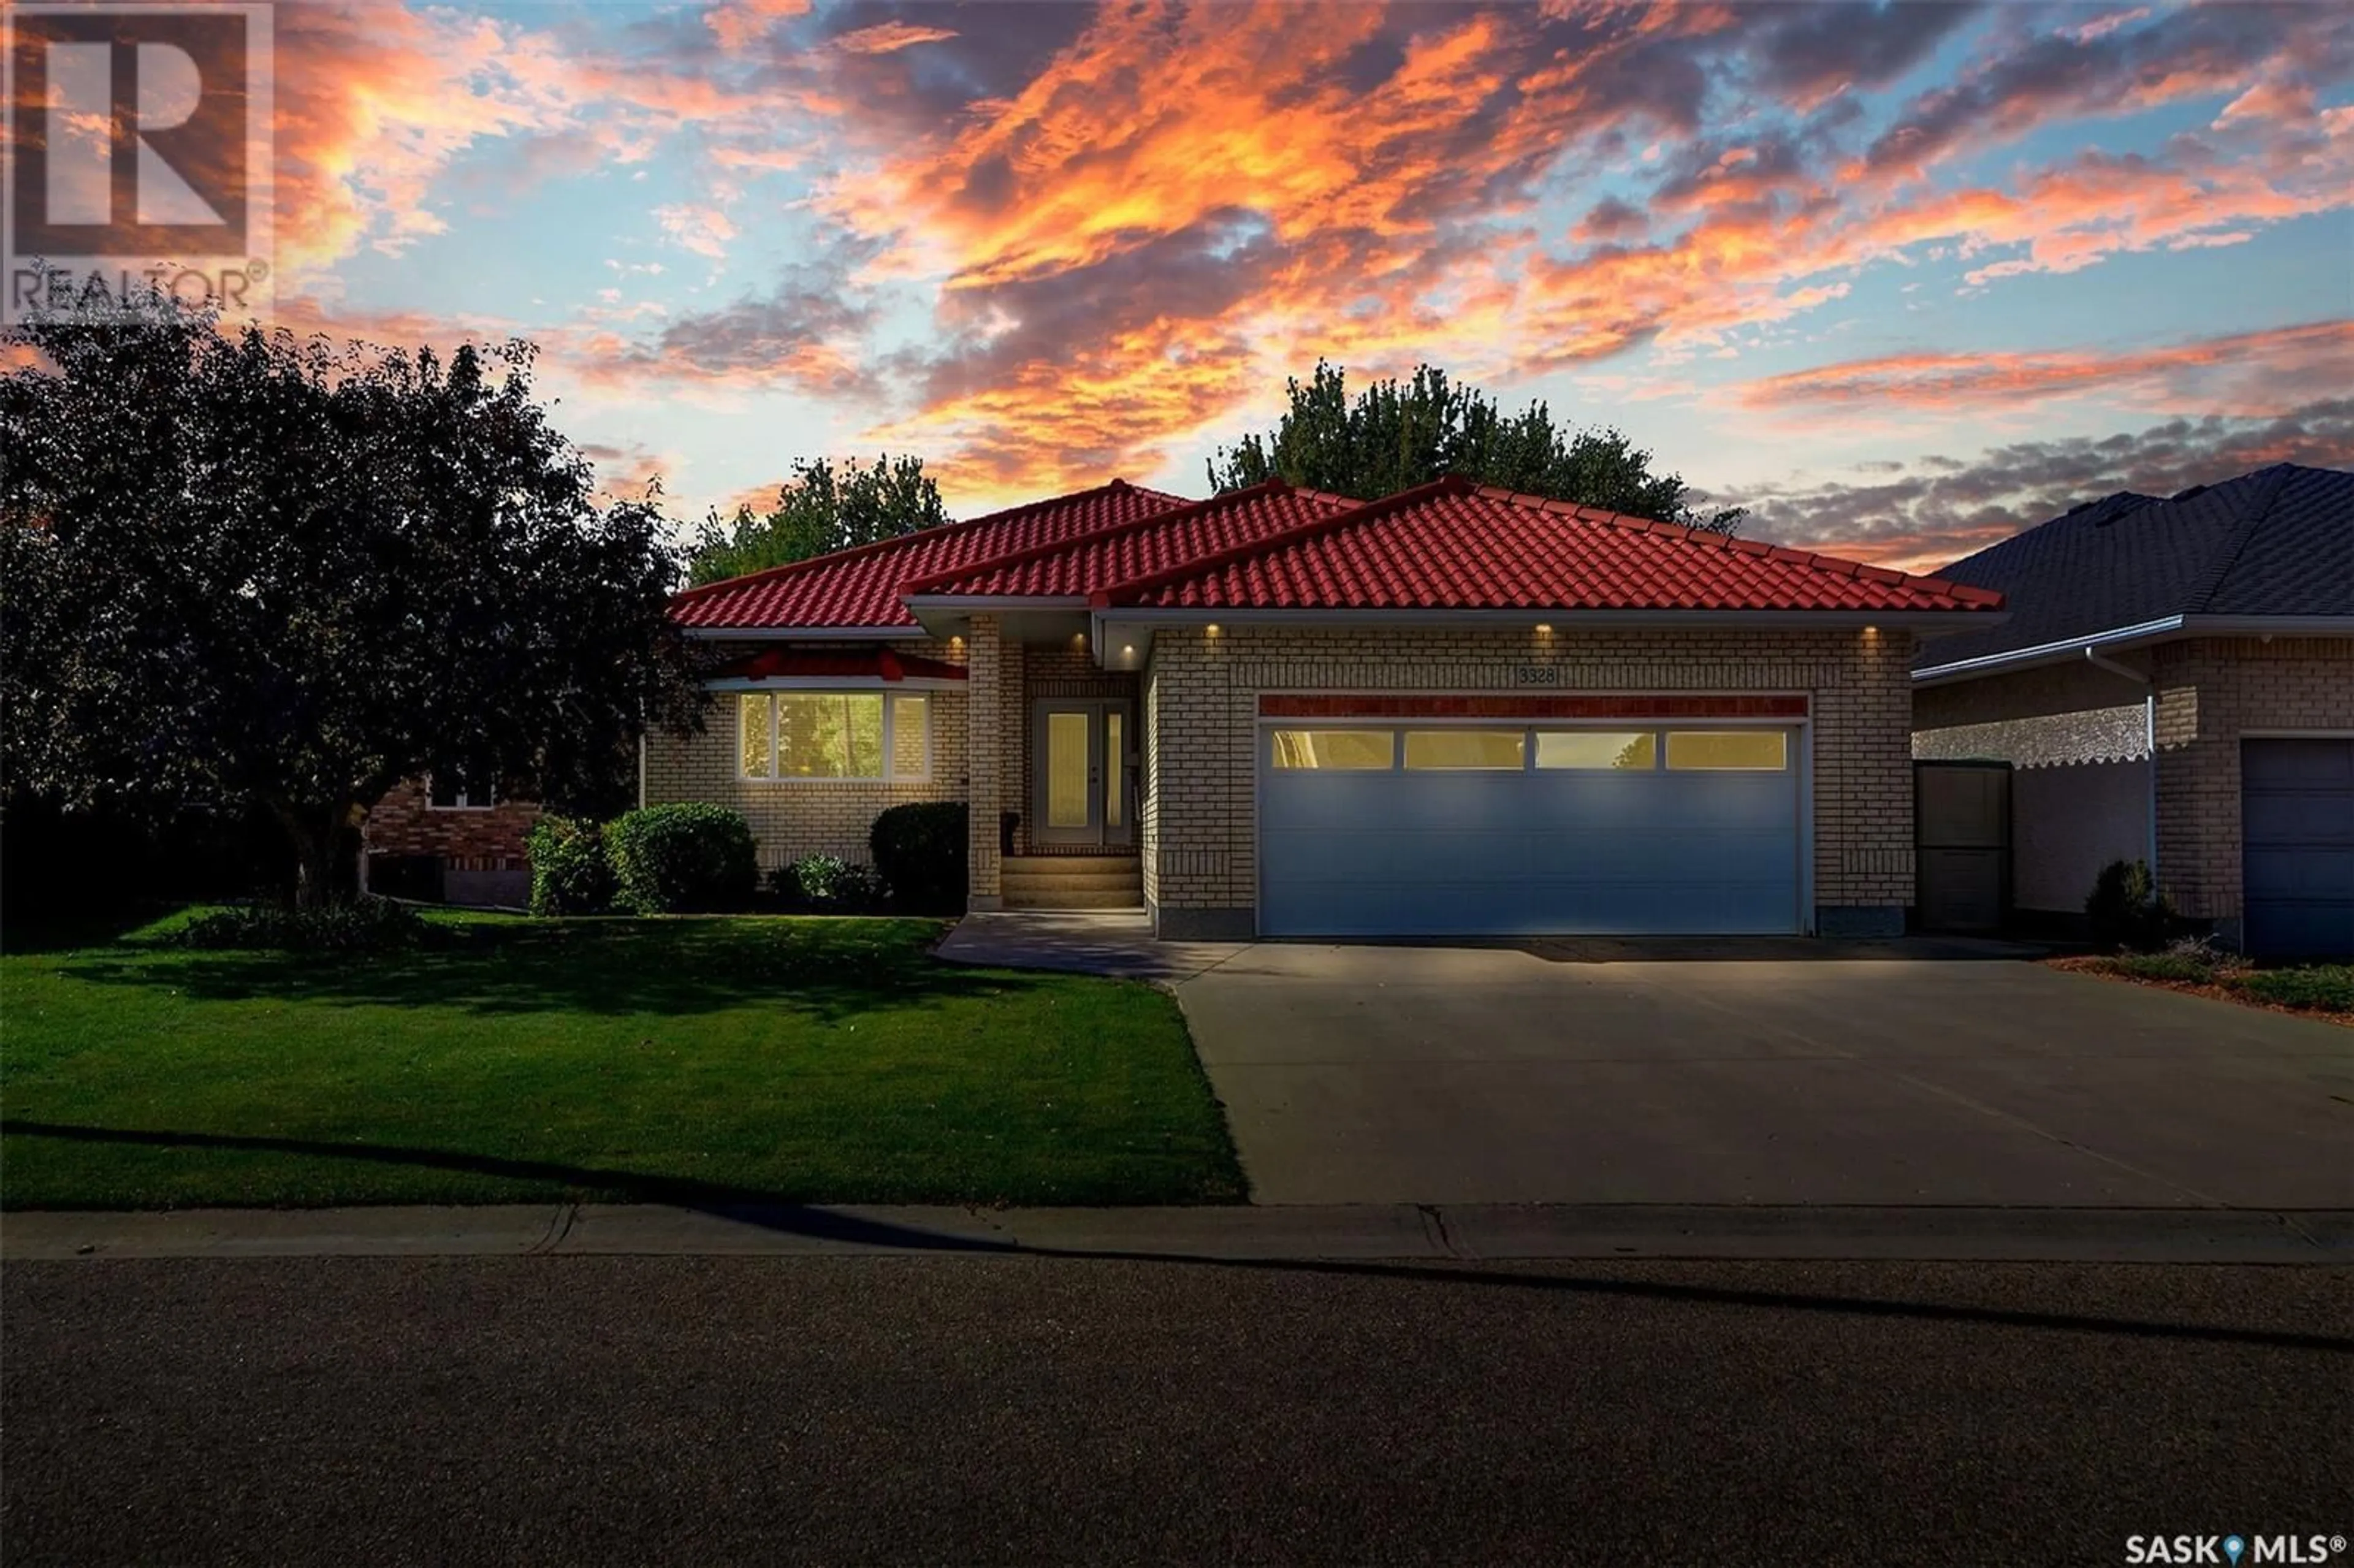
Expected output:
(1291, 715)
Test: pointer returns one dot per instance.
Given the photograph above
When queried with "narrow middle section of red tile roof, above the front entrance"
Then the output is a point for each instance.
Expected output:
(1117, 554)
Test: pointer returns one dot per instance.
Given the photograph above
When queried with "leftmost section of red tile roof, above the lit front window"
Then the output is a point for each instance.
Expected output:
(863, 587)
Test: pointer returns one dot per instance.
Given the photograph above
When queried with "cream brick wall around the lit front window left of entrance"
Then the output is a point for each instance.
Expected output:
(806, 816)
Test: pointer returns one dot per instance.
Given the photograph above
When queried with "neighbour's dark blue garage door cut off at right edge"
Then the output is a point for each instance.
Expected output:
(2296, 823)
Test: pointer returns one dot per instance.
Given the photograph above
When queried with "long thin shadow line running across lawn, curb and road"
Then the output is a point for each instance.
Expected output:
(769, 1211)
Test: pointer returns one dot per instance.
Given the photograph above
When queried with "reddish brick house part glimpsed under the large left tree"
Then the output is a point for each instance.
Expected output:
(444, 842)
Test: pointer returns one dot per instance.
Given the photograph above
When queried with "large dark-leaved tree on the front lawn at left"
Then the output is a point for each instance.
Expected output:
(255, 571)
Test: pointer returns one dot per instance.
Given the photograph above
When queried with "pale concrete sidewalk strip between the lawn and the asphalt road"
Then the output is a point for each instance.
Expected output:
(1308, 1233)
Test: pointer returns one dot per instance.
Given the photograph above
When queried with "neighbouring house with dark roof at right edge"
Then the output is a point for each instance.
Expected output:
(2176, 684)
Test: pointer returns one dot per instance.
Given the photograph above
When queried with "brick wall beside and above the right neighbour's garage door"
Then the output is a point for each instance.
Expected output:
(2212, 693)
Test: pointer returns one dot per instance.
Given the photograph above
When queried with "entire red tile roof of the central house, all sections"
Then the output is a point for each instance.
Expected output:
(1449, 545)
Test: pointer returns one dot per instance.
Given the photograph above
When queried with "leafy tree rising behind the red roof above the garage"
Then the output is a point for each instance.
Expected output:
(1402, 434)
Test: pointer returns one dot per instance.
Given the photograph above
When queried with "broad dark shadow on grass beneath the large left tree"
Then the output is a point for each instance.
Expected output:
(820, 971)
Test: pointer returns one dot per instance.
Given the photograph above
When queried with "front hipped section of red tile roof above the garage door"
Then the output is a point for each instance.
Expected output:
(1463, 547)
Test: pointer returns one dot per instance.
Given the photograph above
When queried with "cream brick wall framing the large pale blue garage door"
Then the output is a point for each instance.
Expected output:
(1202, 703)
